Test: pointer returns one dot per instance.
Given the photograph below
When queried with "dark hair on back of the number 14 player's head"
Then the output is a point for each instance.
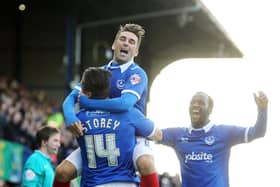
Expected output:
(97, 82)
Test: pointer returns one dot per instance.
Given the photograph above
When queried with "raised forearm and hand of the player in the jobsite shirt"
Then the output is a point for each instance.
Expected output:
(259, 129)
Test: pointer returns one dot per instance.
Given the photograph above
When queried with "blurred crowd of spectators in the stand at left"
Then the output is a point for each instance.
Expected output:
(23, 112)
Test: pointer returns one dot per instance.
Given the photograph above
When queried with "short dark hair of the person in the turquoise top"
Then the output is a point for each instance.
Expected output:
(44, 133)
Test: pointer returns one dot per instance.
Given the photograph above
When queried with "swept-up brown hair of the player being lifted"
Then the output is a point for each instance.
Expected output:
(136, 29)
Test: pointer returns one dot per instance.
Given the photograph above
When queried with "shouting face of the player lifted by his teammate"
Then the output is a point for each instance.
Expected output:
(125, 47)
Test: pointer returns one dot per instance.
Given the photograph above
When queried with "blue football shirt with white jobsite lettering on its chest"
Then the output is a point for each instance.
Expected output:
(204, 154)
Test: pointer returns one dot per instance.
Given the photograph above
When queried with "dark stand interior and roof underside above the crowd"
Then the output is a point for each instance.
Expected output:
(46, 43)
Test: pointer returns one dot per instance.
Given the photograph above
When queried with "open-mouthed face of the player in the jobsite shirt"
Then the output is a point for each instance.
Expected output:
(199, 110)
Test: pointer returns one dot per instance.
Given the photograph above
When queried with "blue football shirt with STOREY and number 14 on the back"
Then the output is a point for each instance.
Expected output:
(108, 143)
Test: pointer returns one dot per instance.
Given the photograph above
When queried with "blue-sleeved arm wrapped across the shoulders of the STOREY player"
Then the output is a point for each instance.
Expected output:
(119, 104)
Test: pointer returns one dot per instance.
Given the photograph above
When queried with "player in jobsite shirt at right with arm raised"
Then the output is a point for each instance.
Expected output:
(204, 149)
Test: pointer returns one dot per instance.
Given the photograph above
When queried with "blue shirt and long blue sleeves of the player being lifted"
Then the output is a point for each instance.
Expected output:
(126, 78)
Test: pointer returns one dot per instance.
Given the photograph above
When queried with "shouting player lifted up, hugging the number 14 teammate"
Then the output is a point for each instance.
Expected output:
(128, 89)
